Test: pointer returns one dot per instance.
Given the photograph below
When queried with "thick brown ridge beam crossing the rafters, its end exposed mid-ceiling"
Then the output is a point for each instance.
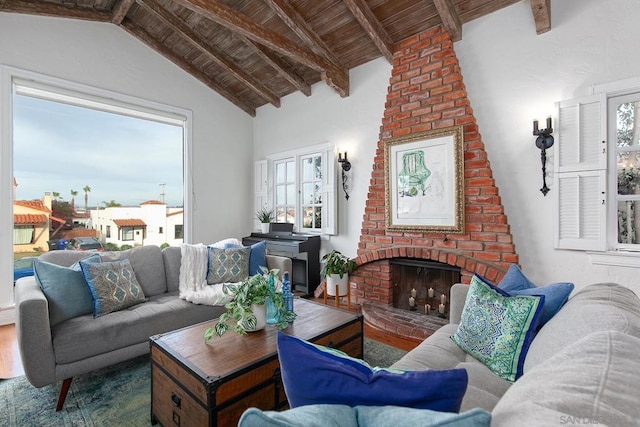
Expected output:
(334, 76)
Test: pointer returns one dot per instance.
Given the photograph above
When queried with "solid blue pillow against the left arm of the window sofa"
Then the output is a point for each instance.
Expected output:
(65, 289)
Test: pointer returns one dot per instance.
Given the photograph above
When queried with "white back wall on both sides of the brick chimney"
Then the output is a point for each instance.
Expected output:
(512, 76)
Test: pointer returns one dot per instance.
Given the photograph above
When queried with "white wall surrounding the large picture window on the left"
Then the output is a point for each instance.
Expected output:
(105, 56)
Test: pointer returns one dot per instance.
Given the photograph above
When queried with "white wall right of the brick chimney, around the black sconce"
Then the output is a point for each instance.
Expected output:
(513, 76)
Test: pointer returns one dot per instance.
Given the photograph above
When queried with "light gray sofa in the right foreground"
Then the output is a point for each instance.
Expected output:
(583, 366)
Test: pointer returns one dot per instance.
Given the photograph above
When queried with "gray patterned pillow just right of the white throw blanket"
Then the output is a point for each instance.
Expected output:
(228, 265)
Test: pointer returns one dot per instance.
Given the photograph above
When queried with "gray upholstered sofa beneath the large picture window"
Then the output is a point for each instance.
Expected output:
(83, 344)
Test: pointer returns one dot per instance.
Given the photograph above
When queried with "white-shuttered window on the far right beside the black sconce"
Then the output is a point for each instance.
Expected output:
(597, 170)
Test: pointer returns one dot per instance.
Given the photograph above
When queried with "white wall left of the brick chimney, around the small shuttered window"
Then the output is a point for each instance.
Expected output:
(352, 124)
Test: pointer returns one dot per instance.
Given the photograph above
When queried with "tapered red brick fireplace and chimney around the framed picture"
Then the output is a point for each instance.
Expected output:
(426, 92)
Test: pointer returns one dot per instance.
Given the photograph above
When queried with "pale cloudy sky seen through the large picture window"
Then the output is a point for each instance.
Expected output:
(59, 147)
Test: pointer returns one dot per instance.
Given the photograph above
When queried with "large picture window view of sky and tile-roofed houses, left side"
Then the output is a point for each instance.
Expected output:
(86, 171)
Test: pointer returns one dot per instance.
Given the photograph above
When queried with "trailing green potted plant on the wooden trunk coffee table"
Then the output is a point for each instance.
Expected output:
(248, 307)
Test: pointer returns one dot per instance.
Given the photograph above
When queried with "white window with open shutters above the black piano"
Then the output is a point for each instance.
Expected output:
(299, 186)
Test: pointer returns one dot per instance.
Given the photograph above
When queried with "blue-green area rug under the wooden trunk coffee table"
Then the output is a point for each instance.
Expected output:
(115, 396)
